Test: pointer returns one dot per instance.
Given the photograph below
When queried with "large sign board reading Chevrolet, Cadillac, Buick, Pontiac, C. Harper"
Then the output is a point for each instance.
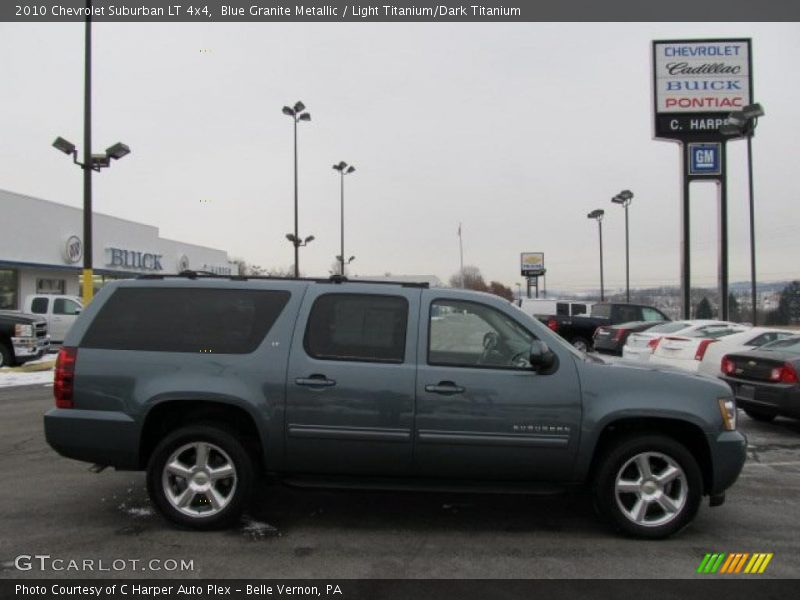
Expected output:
(697, 83)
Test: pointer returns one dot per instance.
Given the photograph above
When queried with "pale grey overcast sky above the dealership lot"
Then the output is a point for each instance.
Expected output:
(515, 130)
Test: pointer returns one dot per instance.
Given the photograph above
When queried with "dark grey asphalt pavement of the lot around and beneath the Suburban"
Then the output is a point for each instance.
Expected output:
(54, 506)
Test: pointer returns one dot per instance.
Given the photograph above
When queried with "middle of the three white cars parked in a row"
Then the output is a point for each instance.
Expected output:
(686, 351)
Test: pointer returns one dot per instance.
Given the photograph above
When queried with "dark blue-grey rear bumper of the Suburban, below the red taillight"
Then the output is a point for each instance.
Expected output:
(95, 436)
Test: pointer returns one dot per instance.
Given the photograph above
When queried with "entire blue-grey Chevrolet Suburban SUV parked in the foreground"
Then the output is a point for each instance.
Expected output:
(208, 383)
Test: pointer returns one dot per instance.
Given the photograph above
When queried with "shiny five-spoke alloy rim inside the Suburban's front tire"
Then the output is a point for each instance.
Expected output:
(651, 489)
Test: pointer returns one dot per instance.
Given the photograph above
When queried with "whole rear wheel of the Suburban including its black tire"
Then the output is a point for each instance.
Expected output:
(224, 448)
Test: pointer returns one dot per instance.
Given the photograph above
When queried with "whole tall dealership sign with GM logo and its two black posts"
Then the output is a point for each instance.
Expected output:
(696, 85)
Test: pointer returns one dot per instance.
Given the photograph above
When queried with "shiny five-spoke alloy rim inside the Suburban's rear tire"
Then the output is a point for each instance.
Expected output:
(199, 479)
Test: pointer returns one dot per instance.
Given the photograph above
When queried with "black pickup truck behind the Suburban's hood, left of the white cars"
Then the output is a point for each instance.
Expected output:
(579, 331)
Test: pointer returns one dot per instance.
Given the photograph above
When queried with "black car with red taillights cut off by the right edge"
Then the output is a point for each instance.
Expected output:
(765, 381)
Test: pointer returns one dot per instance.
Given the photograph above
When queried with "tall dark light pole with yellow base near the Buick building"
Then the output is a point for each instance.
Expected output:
(91, 162)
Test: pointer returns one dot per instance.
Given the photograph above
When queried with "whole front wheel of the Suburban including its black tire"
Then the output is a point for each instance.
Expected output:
(684, 492)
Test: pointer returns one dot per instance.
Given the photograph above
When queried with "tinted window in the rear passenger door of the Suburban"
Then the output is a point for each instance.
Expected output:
(357, 327)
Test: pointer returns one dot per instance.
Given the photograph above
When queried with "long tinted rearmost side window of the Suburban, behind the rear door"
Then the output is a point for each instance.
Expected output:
(222, 321)
